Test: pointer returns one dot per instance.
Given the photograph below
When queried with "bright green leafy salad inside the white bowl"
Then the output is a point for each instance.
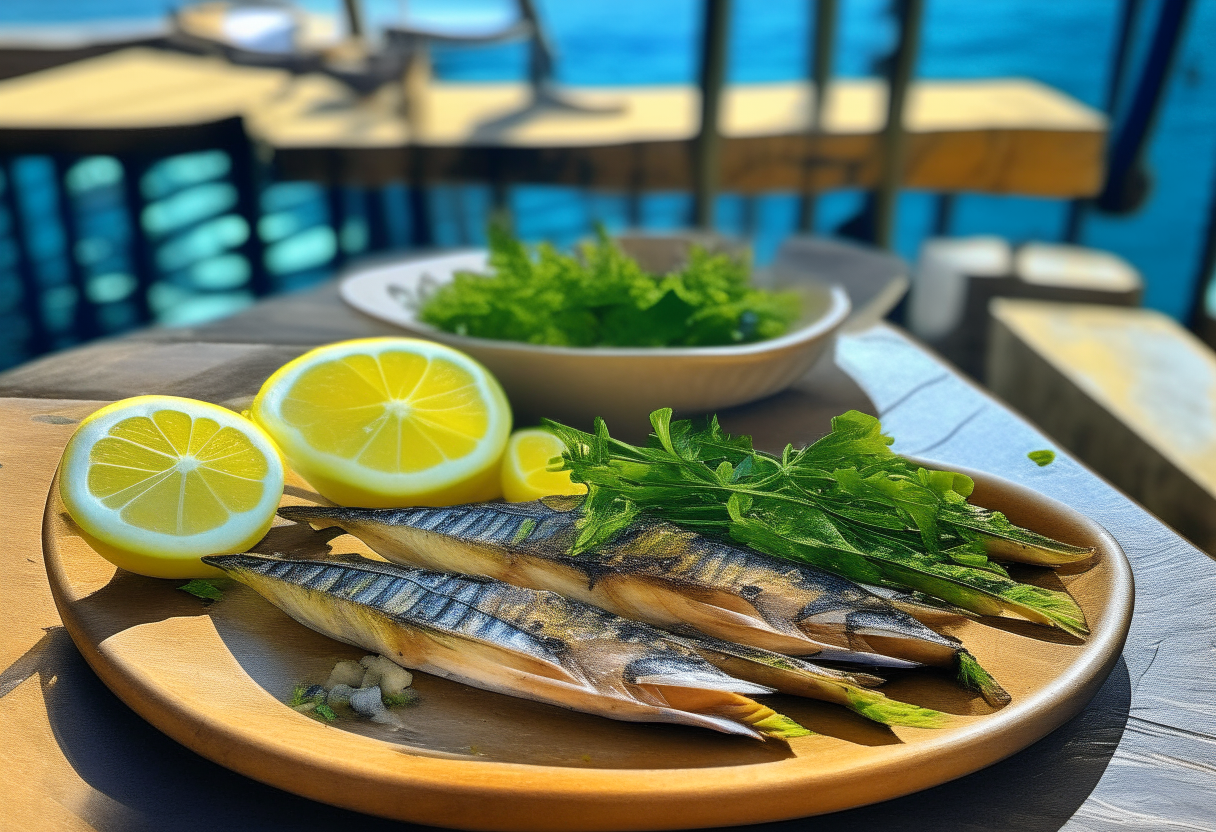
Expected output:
(603, 299)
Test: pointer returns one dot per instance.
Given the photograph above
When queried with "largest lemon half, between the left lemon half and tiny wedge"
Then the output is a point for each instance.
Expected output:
(387, 423)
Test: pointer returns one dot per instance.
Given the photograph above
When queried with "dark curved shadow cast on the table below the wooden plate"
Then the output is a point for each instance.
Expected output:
(145, 782)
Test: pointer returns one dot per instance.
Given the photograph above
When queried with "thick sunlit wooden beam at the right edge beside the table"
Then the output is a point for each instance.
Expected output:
(1129, 391)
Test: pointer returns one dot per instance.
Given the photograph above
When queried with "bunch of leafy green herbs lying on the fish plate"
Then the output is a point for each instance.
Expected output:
(847, 504)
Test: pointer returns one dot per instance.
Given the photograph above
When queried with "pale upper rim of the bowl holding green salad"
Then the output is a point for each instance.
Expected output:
(835, 314)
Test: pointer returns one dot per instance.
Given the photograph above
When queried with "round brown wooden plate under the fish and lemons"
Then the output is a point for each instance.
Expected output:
(216, 677)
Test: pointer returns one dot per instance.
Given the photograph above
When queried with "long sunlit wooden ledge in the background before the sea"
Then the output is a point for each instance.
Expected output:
(1006, 136)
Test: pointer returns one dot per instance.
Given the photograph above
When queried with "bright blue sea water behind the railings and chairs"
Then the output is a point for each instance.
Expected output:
(1067, 44)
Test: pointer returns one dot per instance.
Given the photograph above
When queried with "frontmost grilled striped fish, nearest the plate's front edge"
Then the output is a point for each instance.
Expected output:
(510, 640)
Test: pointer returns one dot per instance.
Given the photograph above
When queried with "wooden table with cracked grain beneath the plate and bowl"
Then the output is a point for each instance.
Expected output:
(1142, 756)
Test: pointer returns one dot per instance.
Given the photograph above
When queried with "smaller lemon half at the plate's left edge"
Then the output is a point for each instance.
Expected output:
(156, 482)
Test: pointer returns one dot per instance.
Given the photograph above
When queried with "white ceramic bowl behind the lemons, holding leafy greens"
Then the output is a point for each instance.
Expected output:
(575, 385)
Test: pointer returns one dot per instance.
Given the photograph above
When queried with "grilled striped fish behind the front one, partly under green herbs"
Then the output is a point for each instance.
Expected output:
(654, 572)
